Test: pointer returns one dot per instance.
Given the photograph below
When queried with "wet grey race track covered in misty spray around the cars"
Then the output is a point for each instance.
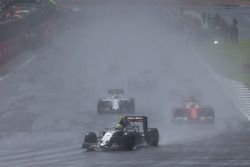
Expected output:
(48, 98)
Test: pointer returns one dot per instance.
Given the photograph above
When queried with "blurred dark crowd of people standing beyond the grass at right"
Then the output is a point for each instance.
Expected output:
(209, 27)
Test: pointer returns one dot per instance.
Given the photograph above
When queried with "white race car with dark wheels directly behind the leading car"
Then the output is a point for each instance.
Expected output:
(116, 103)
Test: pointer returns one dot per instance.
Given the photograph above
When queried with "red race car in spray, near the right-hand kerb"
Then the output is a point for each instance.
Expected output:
(192, 111)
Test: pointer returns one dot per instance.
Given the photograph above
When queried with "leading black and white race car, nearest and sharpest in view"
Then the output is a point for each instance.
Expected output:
(130, 132)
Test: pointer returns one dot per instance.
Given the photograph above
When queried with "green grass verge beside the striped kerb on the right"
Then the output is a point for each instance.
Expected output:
(229, 60)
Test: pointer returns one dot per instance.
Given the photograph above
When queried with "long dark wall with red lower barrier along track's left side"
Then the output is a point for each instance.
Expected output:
(14, 34)
